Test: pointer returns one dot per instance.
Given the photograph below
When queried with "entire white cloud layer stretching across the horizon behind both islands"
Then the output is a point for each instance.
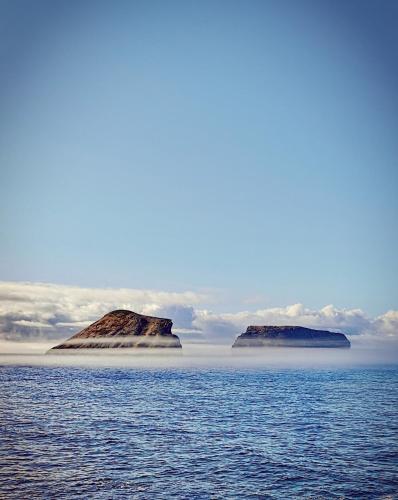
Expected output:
(49, 311)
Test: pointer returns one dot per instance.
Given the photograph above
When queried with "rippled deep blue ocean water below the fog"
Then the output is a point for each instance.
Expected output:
(113, 433)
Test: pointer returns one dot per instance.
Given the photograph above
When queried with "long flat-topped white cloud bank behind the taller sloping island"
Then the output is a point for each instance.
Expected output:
(44, 310)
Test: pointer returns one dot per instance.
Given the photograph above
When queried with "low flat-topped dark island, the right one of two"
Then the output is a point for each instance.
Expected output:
(289, 336)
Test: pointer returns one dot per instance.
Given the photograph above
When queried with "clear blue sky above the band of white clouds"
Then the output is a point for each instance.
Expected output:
(244, 152)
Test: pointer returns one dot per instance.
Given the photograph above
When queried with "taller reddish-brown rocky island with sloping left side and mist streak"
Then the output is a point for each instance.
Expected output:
(120, 329)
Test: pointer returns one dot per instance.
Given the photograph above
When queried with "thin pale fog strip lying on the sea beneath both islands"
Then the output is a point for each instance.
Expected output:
(201, 356)
